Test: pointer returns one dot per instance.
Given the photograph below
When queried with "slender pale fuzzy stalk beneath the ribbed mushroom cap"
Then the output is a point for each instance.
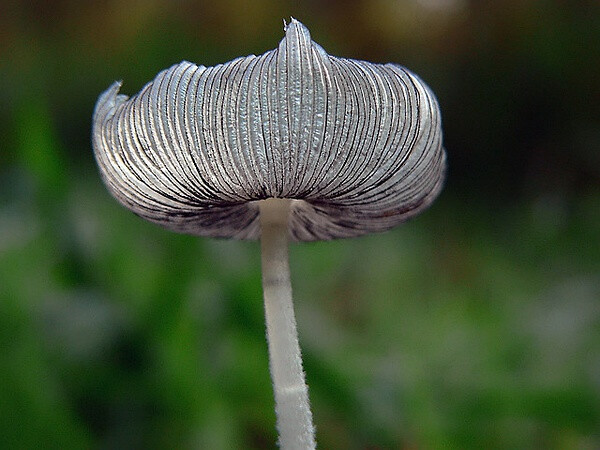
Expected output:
(294, 418)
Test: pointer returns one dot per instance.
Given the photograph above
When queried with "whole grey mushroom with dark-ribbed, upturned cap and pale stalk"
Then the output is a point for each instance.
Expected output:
(291, 145)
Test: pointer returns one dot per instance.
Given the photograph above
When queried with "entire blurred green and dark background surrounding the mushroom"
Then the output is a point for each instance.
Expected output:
(476, 325)
